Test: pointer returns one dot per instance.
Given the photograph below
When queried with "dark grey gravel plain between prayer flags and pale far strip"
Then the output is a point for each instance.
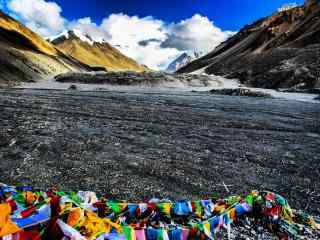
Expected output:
(134, 145)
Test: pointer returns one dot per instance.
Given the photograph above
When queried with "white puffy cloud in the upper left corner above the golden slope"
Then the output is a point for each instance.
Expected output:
(41, 16)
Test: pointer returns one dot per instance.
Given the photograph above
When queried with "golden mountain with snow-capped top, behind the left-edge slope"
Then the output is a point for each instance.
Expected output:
(95, 53)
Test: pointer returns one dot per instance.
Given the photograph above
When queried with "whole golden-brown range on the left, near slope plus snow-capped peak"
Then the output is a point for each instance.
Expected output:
(25, 56)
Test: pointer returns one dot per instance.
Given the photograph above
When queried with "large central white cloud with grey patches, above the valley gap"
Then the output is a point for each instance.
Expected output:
(155, 44)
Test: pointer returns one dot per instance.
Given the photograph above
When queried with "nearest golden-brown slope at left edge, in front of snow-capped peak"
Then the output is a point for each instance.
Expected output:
(25, 56)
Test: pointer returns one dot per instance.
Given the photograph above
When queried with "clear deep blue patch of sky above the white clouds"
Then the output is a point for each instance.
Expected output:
(227, 14)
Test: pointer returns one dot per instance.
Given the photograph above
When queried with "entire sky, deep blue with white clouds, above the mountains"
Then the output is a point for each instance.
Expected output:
(153, 32)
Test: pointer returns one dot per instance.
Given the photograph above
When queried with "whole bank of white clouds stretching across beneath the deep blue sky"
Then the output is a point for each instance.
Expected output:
(148, 40)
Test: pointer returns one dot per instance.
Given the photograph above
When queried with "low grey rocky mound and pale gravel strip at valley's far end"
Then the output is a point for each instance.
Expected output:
(160, 81)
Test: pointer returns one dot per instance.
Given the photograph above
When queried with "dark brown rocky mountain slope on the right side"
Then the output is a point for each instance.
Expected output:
(280, 51)
